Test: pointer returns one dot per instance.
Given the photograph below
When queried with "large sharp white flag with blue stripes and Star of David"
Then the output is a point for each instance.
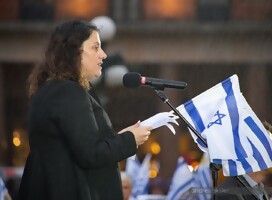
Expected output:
(235, 136)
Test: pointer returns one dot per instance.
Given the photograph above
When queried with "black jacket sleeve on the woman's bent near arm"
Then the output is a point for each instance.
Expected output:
(73, 114)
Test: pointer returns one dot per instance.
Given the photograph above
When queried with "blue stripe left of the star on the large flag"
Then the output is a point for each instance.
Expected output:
(196, 118)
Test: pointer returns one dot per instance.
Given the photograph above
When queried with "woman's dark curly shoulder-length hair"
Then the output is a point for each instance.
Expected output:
(62, 59)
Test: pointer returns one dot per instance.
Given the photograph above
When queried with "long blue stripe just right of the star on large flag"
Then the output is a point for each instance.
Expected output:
(234, 117)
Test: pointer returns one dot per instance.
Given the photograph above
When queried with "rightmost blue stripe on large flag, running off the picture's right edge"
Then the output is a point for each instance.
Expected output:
(260, 134)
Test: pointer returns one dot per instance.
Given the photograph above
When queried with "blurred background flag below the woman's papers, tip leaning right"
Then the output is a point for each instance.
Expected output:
(141, 178)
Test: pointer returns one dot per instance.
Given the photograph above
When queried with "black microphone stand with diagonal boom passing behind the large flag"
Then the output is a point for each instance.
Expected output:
(213, 167)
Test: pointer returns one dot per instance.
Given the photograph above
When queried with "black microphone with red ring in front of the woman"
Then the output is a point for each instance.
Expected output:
(134, 80)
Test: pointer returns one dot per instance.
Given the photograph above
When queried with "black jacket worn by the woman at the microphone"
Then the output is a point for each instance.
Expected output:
(74, 151)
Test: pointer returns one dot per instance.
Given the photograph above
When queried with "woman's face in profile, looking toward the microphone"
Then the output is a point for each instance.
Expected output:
(92, 57)
